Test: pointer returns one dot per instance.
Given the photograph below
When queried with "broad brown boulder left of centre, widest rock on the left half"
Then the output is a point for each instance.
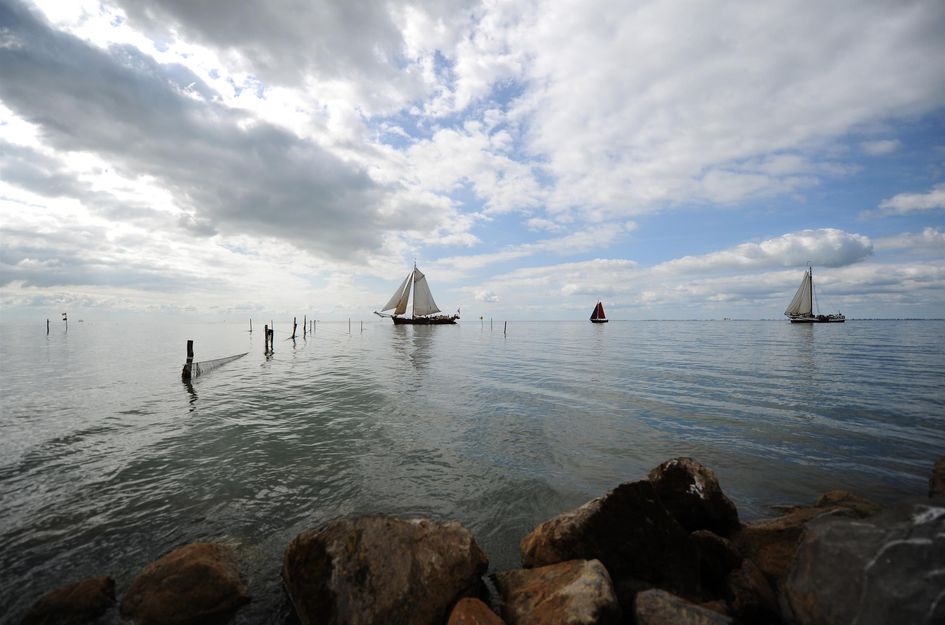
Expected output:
(380, 569)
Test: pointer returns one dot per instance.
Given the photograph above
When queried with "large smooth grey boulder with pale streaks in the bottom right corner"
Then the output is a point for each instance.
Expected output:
(885, 569)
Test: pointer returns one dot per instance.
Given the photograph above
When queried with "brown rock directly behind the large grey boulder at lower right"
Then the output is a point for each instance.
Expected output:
(771, 544)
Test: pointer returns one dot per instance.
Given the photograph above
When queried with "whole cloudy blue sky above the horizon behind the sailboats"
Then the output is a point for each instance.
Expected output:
(676, 160)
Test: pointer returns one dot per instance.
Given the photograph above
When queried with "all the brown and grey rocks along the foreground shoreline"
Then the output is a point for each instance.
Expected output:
(668, 549)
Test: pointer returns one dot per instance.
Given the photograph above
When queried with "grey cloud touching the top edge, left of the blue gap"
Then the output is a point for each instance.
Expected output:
(284, 42)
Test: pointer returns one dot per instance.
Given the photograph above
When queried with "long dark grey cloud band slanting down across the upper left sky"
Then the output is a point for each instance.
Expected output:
(233, 173)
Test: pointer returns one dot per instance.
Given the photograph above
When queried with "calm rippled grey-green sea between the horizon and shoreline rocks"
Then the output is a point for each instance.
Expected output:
(108, 460)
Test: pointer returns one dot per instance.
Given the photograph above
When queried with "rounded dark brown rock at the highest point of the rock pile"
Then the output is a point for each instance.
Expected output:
(692, 494)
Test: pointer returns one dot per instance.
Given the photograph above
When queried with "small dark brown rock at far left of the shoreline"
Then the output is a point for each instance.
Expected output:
(74, 604)
